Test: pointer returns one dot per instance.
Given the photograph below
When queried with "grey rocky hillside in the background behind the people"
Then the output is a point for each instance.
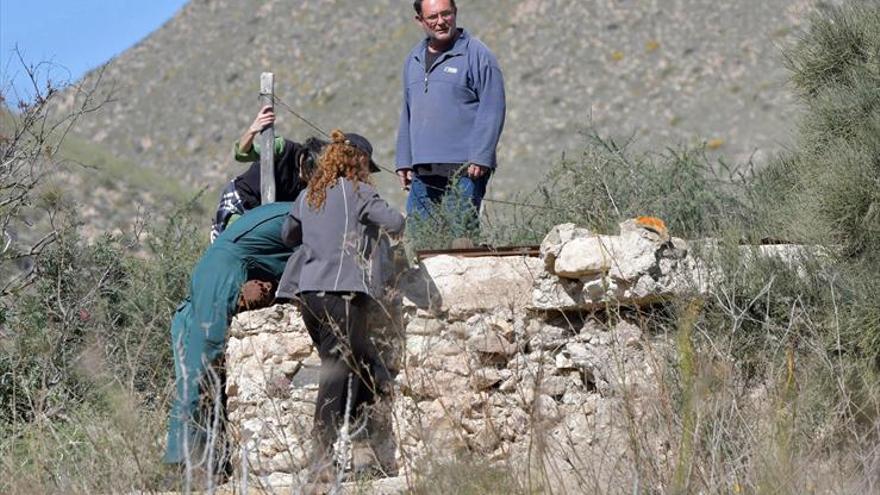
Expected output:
(662, 71)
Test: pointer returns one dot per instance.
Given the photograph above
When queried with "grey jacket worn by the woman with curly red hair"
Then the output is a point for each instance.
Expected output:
(342, 247)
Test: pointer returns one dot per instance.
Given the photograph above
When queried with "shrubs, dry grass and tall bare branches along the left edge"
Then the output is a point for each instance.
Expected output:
(84, 358)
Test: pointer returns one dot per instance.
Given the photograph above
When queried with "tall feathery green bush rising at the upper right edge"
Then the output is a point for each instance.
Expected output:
(835, 196)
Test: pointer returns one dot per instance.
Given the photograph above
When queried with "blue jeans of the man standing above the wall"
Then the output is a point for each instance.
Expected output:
(451, 200)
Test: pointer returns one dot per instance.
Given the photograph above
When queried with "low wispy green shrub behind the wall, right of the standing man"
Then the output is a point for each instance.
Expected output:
(607, 184)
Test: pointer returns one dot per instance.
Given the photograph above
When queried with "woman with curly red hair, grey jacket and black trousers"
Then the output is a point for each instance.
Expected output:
(340, 220)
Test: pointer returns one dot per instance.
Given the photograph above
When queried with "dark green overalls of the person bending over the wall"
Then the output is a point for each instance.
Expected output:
(250, 248)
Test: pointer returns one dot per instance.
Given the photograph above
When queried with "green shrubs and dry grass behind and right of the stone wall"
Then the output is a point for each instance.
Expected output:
(781, 381)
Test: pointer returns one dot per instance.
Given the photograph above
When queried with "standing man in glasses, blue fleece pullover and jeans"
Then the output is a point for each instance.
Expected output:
(452, 114)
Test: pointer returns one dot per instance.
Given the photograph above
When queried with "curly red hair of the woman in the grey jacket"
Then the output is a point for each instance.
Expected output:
(338, 159)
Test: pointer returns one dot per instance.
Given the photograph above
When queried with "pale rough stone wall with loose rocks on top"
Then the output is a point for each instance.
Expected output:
(536, 363)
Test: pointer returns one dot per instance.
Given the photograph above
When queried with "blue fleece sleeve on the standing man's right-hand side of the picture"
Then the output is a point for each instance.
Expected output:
(489, 122)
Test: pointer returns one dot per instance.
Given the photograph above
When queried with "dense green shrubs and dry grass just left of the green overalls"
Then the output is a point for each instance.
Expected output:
(85, 376)
